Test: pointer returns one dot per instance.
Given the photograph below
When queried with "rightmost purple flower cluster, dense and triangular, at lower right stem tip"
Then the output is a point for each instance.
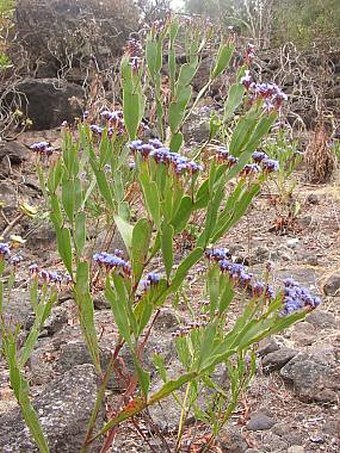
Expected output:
(297, 297)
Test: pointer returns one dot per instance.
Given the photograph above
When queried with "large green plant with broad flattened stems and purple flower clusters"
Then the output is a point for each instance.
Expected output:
(169, 189)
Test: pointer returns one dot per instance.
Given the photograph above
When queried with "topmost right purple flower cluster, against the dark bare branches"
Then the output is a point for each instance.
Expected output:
(272, 95)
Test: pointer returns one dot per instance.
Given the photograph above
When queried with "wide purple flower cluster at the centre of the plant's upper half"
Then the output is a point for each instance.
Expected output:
(156, 150)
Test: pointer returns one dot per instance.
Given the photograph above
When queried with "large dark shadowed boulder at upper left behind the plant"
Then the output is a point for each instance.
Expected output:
(50, 101)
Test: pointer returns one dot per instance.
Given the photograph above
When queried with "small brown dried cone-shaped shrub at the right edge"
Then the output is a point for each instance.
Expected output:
(319, 156)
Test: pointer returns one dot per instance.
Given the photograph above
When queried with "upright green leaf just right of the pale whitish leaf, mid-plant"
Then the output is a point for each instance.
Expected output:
(141, 236)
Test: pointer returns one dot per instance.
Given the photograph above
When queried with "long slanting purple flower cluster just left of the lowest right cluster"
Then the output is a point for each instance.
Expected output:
(238, 274)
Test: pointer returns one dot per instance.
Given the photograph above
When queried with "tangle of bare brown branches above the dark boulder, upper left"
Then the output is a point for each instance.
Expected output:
(57, 35)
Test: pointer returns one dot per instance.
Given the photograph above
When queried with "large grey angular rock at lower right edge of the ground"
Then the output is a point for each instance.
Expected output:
(315, 376)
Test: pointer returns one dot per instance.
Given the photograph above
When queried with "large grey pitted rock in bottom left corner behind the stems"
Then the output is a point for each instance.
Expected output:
(64, 409)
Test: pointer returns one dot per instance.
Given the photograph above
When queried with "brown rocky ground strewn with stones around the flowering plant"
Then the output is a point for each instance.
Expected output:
(293, 402)
